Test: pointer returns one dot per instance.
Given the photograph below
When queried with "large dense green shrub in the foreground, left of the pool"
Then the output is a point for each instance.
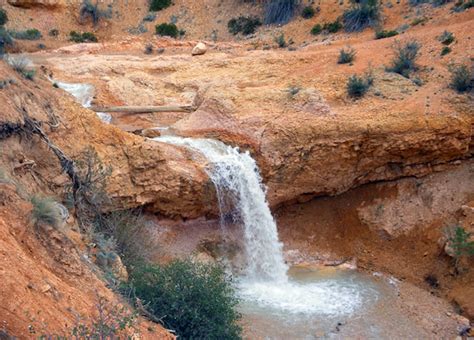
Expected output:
(195, 300)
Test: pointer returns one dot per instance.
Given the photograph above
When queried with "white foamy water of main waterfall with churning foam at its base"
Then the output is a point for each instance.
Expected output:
(265, 285)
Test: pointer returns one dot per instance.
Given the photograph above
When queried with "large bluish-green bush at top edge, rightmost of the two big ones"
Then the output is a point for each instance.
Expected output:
(361, 14)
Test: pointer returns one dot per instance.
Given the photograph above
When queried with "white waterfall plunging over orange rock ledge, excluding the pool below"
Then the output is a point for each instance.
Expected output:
(241, 198)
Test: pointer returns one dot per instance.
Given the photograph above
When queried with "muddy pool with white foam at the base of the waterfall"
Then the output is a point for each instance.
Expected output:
(325, 303)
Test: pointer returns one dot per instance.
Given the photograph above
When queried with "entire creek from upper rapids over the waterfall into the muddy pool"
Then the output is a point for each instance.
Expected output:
(278, 302)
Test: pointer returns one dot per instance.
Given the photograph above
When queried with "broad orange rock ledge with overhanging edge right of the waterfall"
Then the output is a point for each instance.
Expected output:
(292, 112)
